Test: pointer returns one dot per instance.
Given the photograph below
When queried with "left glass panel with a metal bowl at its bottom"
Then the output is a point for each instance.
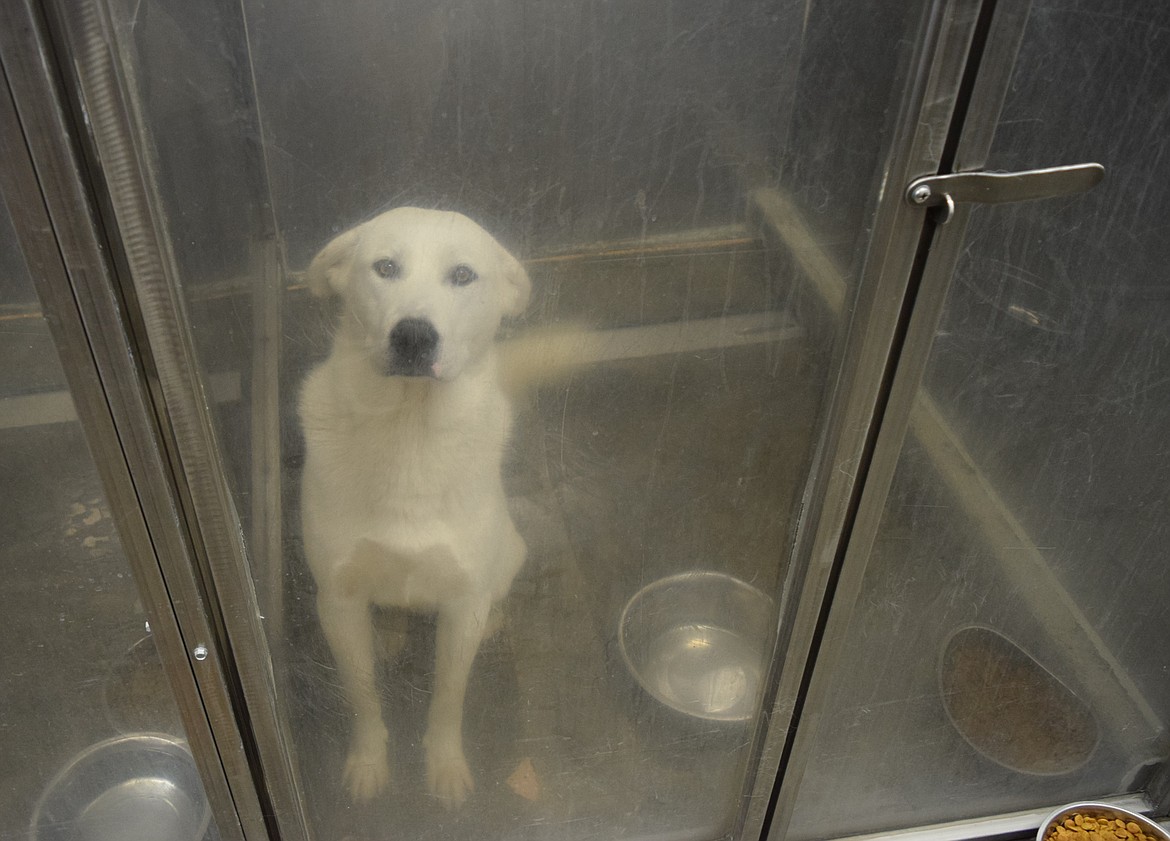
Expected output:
(90, 733)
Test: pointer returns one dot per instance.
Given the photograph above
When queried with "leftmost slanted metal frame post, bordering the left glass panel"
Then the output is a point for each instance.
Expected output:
(43, 187)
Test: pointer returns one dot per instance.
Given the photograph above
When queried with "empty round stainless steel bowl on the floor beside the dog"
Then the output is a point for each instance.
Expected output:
(699, 643)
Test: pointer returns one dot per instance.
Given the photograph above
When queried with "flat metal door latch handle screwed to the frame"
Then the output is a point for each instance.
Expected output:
(1001, 188)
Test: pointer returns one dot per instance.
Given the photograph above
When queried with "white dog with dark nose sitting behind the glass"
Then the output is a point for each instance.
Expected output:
(405, 429)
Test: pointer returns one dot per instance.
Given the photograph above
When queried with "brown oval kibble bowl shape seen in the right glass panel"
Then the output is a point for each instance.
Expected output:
(1011, 709)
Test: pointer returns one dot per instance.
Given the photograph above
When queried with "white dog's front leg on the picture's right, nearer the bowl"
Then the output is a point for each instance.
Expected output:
(460, 631)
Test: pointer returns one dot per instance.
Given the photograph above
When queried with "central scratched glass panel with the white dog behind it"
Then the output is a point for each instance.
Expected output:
(646, 192)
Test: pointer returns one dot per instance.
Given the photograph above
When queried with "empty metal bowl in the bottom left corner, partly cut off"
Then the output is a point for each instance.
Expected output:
(140, 788)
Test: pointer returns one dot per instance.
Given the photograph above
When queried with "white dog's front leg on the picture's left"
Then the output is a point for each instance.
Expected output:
(349, 630)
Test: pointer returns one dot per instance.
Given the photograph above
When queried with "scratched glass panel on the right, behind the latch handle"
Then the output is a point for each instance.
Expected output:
(1011, 646)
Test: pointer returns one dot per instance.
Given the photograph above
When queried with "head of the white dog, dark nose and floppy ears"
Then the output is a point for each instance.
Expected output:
(424, 292)
